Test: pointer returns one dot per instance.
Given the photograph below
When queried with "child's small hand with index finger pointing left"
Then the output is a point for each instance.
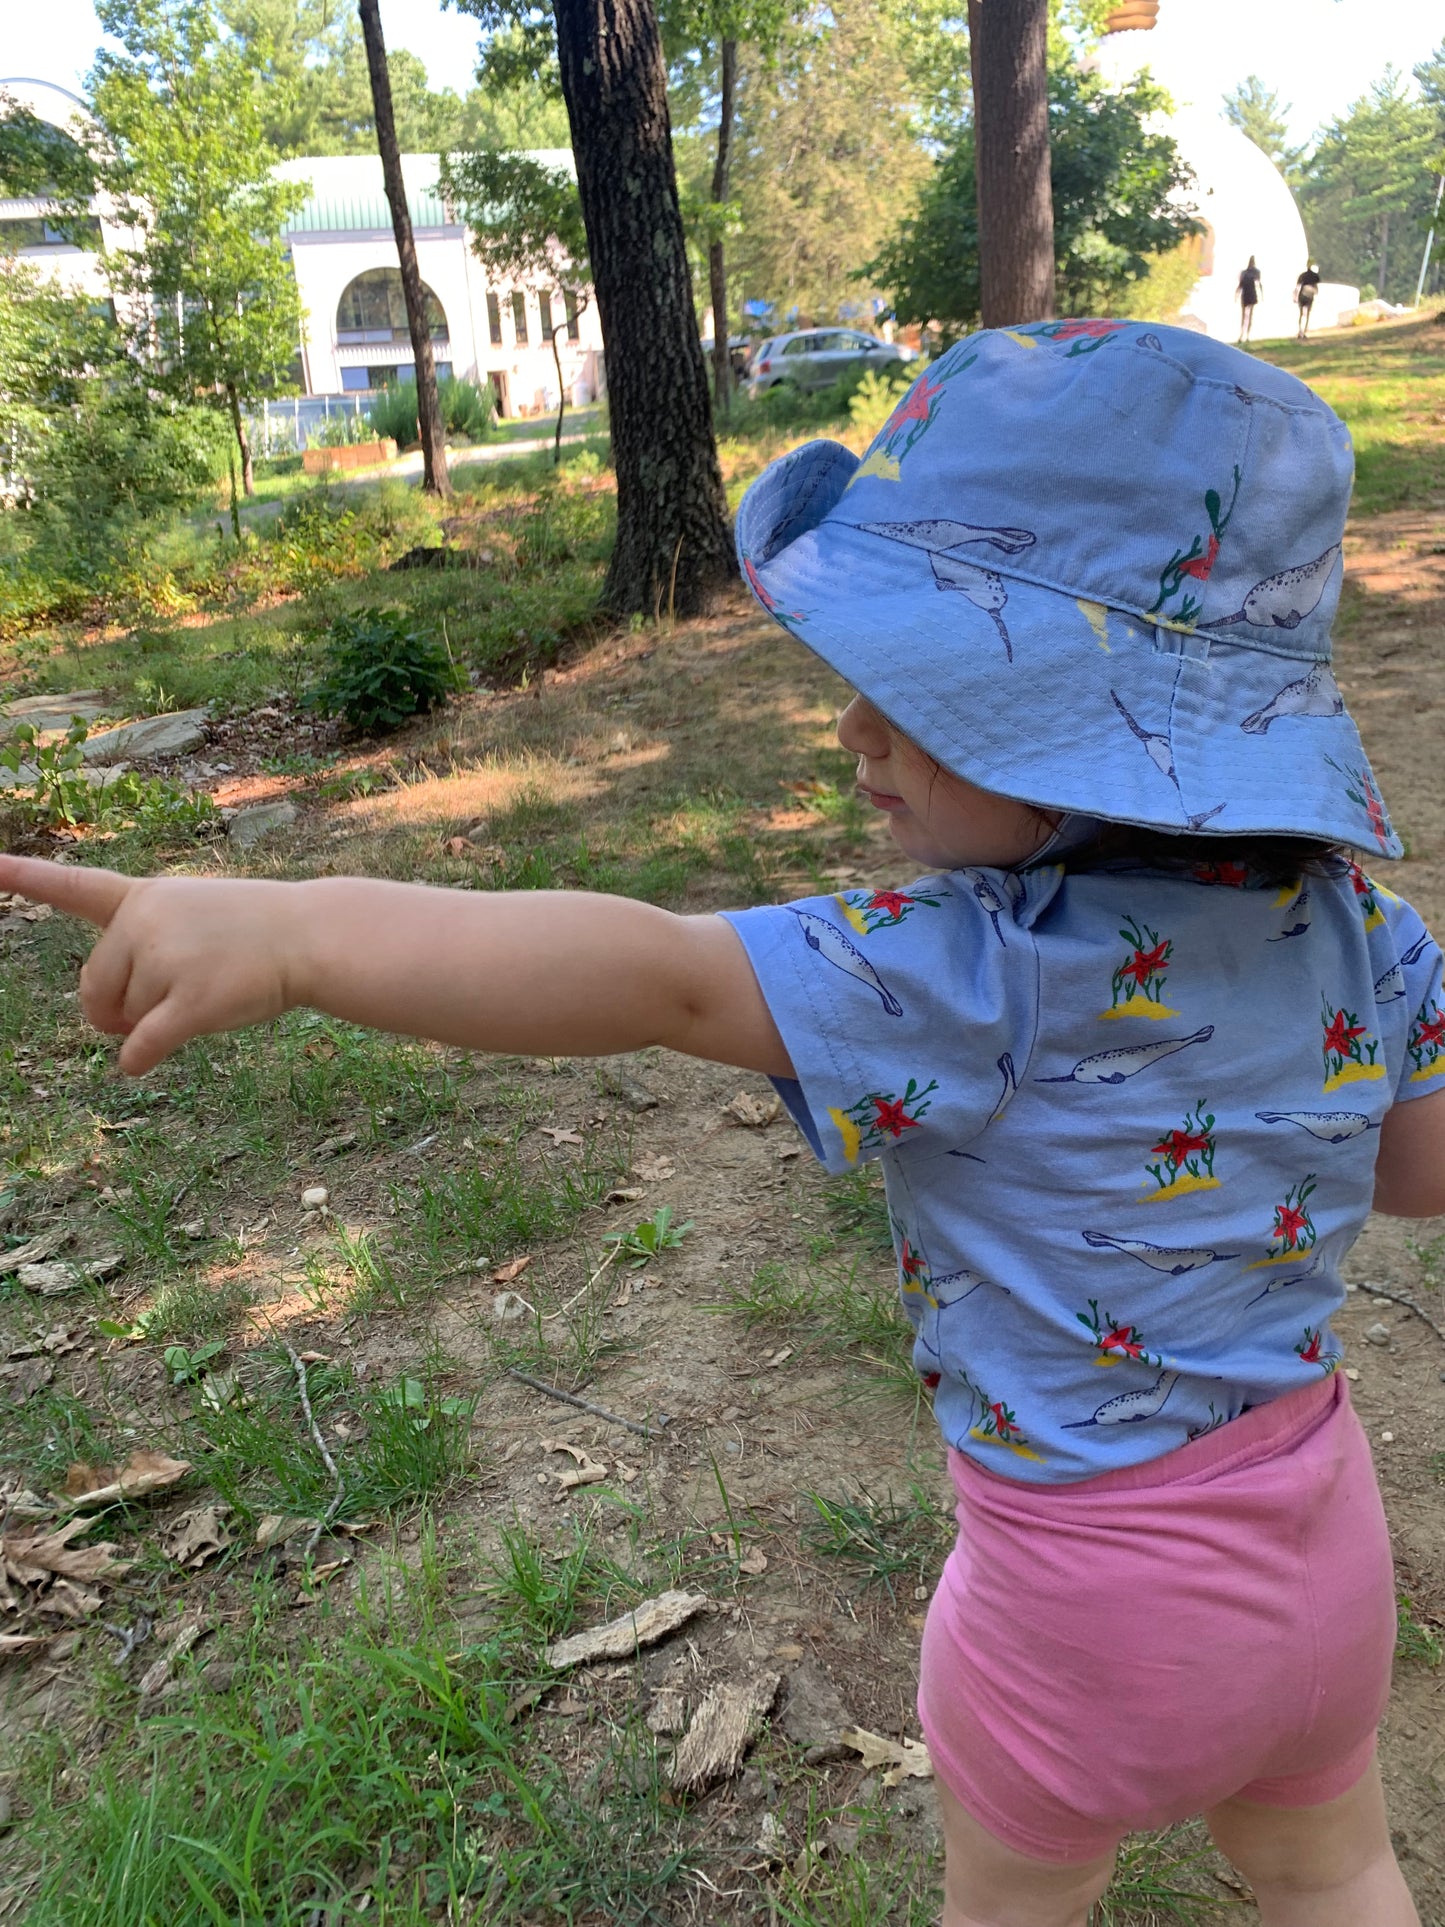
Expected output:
(178, 959)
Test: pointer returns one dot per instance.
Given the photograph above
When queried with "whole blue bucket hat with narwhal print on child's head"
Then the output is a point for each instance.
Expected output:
(1091, 566)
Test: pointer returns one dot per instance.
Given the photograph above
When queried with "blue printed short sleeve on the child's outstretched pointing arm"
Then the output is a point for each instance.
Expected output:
(908, 1015)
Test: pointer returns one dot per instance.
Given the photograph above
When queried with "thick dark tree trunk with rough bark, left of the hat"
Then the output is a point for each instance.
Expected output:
(673, 548)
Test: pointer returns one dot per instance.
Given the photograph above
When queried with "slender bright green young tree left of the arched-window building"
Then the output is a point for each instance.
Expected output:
(205, 290)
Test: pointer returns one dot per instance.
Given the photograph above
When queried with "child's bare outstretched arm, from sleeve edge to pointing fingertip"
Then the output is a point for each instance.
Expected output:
(550, 972)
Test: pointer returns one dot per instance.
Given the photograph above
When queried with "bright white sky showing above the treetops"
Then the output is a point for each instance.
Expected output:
(1319, 55)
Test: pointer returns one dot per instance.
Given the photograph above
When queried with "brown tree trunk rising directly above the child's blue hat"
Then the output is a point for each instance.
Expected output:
(1009, 45)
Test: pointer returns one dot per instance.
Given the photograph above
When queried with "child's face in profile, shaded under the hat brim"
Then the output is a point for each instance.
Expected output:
(937, 818)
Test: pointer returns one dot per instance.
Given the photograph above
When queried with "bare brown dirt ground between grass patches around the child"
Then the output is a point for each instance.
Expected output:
(733, 704)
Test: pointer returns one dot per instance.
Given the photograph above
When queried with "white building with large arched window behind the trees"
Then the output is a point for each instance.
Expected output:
(344, 253)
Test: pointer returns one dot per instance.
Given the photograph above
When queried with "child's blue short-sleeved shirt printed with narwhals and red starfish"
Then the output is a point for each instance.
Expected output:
(1128, 1126)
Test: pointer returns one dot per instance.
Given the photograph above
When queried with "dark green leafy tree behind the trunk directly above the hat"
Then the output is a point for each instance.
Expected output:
(1117, 207)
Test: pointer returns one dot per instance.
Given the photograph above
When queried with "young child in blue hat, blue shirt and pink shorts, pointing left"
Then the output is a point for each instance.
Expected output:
(1138, 1055)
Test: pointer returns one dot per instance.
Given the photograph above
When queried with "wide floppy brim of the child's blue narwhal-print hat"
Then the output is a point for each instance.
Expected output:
(1057, 700)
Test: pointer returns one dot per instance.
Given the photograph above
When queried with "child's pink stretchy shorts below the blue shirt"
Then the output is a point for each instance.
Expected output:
(1130, 1650)
